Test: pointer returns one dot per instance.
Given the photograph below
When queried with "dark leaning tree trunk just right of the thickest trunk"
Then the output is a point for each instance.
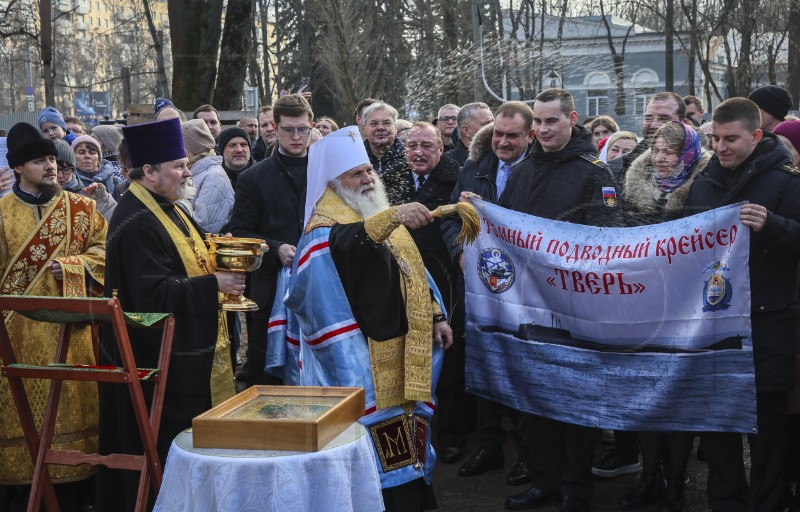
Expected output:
(234, 52)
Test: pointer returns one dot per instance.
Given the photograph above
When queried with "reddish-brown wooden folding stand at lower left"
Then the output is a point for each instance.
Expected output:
(81, 311)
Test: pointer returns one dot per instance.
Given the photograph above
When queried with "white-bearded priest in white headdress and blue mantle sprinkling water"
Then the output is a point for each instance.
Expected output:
(369, 313)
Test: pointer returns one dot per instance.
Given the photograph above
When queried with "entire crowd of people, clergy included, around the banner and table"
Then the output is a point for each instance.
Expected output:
(376, 288)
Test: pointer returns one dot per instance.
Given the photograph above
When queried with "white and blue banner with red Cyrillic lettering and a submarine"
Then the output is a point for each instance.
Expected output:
(628, 328)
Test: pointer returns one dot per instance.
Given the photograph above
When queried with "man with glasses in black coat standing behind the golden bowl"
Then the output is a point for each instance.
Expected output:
(269, 204)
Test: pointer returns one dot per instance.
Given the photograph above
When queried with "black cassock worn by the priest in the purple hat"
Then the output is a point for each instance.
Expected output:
(144, 266)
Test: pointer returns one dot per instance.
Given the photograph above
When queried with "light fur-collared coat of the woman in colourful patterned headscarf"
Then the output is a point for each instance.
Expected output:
(645, 203)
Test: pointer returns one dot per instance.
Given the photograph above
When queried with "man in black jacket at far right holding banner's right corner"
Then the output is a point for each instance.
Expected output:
(754, 166)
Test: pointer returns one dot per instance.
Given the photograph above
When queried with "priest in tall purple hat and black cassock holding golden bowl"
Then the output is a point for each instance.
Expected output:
(158, 262)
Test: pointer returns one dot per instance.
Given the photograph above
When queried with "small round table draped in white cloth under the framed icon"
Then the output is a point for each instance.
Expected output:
(342, 477)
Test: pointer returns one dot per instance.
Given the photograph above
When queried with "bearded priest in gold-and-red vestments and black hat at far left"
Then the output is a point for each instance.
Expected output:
(52, 243)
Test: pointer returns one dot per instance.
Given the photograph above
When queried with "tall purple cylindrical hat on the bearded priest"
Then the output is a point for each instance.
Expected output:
(155, 143)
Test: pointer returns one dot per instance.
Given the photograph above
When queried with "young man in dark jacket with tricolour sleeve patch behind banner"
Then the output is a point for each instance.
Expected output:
(561, 179)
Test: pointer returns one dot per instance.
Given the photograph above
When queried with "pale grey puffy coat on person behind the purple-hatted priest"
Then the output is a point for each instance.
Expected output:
(213, 201)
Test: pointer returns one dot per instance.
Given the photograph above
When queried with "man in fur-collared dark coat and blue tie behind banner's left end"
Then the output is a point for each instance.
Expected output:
(493, 154)
